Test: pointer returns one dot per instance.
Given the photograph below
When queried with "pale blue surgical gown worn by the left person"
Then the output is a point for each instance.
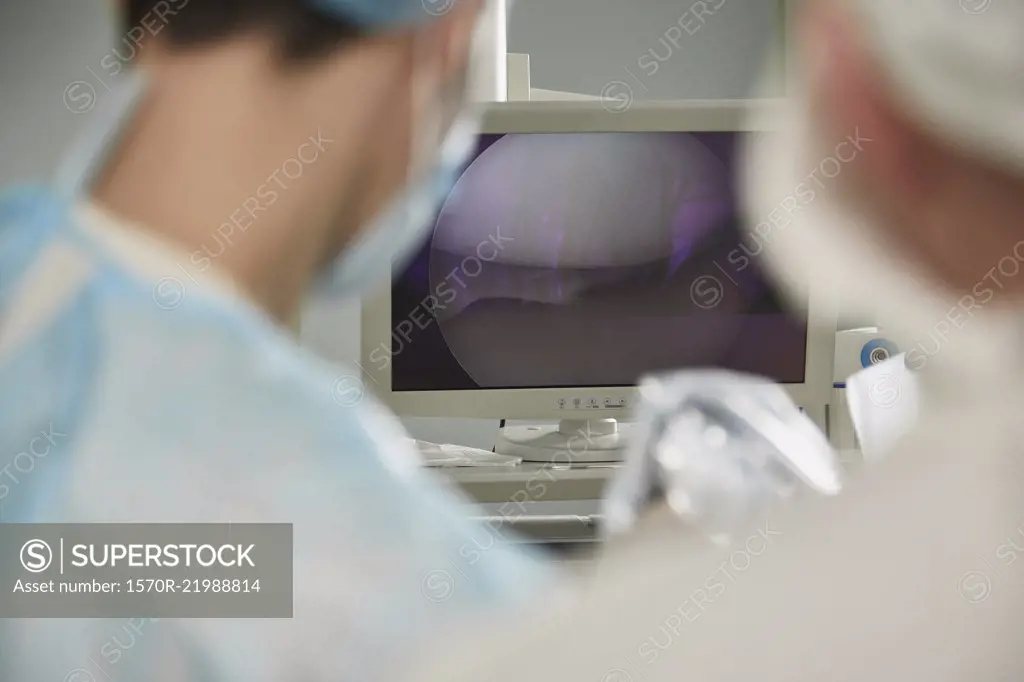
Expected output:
(132, 394)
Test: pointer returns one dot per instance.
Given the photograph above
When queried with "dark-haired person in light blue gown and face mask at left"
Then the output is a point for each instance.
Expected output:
(249, 154)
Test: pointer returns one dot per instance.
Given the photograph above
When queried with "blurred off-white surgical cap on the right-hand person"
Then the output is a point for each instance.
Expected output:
(958, 66)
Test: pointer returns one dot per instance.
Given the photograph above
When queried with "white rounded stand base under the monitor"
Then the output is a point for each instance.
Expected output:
(571, 442)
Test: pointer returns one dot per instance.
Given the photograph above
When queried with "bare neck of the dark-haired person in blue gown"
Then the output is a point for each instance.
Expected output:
(231, 178)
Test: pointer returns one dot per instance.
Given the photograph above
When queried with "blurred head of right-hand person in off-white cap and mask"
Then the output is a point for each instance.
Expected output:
(904, 147)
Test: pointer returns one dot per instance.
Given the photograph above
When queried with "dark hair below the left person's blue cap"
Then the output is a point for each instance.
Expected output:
(302, 32)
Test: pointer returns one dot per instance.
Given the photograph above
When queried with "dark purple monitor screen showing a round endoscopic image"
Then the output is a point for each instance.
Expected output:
(566, 261)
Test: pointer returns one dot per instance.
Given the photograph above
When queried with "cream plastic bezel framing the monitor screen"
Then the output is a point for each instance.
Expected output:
(544, 404)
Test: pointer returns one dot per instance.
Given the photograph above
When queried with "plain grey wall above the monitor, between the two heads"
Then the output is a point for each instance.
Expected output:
(583, 46)
